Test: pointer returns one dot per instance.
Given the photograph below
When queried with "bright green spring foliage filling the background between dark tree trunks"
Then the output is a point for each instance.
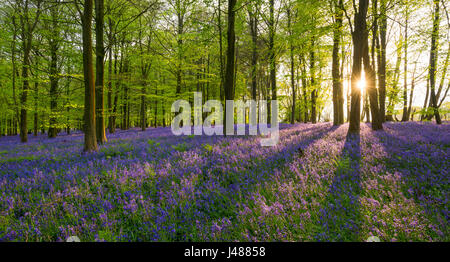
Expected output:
(166, 51)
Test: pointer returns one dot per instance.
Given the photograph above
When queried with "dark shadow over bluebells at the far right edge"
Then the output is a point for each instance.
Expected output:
(422, 162)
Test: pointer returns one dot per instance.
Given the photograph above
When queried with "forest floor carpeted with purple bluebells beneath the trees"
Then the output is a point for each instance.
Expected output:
(315, 185)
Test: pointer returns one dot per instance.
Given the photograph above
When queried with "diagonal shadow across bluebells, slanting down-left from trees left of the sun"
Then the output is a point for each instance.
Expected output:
(235, 187)
